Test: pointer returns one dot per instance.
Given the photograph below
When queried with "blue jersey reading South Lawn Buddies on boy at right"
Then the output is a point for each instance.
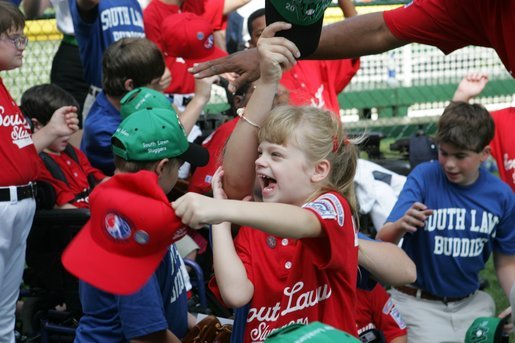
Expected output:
(468, 223)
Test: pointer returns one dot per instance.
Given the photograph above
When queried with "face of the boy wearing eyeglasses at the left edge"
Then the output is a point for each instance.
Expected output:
(11, 56)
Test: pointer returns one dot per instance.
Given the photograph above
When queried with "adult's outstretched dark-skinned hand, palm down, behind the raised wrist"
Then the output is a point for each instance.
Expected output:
(244, 63)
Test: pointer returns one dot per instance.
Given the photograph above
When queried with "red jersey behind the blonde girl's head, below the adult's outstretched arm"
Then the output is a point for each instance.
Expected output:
(318, 83)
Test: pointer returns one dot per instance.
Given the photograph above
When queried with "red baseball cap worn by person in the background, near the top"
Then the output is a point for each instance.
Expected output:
(191, 37)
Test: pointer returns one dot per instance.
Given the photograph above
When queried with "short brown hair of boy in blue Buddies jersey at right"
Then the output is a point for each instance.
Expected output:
(465, 126)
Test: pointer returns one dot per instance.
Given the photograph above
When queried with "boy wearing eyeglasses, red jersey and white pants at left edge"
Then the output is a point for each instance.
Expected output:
(19, 155)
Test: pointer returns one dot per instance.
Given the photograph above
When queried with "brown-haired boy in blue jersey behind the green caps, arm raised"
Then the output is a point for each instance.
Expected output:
(128, 64)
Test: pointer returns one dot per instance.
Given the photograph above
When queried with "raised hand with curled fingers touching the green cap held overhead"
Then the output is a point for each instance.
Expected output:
(275, 53)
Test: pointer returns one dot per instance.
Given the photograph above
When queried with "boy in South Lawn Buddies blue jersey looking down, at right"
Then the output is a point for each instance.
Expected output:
(451, 216)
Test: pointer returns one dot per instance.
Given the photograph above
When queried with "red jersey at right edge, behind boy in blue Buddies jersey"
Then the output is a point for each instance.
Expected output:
(503, 144)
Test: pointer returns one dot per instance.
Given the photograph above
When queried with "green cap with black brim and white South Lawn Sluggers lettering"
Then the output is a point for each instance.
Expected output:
(154, 134)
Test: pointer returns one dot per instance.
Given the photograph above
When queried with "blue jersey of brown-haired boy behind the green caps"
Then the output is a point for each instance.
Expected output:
(102, 121)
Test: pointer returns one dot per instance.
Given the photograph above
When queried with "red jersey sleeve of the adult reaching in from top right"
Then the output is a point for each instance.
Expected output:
(453, 24)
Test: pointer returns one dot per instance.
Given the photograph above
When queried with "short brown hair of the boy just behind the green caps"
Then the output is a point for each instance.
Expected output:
(130, 58)
